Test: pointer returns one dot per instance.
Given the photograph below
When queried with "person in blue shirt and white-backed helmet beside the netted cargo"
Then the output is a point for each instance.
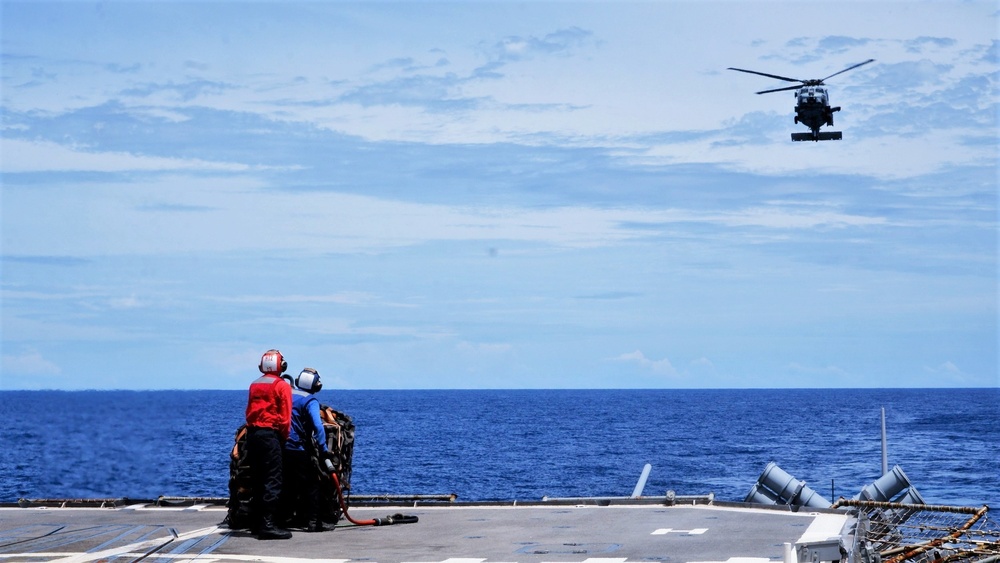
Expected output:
(302, 494)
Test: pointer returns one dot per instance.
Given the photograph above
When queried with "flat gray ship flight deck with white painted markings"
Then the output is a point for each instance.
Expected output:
(459, 534)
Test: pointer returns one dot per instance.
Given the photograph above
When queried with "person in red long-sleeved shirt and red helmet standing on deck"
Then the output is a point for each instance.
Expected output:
(269, 418)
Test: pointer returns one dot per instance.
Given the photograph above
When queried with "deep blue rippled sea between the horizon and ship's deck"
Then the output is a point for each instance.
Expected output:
(519, 444)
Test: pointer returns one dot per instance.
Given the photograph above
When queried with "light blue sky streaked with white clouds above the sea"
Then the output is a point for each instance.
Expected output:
(494, 194)
